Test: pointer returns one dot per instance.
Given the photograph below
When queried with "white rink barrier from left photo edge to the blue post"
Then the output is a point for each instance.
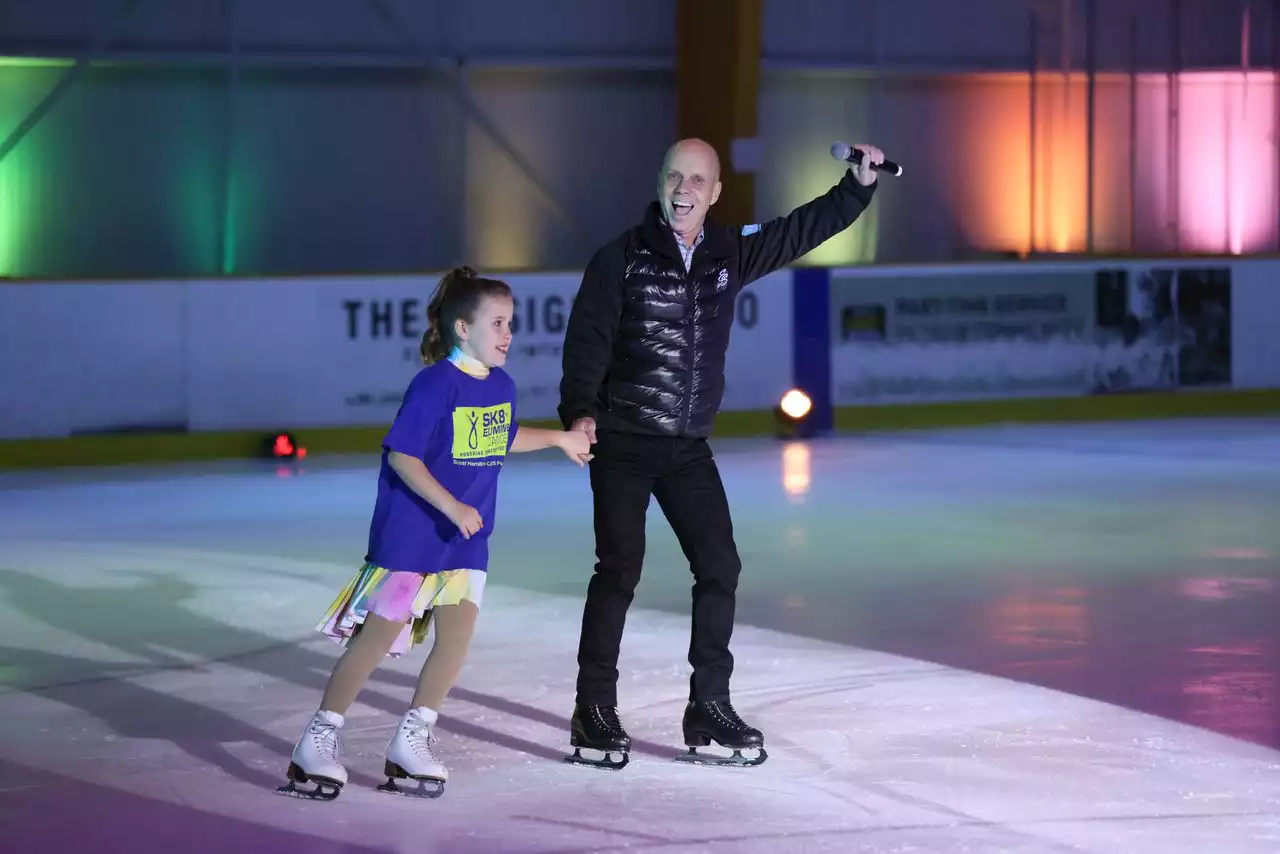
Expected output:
(291, 354)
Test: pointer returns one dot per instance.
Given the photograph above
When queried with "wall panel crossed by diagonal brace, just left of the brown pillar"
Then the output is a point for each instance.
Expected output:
(598, 139)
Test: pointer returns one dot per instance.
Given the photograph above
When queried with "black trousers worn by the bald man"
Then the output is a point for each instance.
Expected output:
(683, 476)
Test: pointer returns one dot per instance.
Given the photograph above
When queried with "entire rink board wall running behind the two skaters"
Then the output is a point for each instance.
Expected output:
(335, 354)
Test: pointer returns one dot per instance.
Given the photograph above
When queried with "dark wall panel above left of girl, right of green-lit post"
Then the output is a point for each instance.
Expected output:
(345, 171)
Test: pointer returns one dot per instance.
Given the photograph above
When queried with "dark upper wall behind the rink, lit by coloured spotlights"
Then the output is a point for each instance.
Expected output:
(199, 138)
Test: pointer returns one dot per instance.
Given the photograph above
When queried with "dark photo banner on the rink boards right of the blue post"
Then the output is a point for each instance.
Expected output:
(1022, 331)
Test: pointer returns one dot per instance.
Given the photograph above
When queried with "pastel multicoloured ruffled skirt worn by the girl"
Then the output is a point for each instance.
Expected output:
(400, 597)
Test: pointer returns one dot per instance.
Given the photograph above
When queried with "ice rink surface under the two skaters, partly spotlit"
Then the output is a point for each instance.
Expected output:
(1012, 640)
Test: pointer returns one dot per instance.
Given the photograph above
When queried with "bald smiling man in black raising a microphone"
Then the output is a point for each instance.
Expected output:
(644, 376)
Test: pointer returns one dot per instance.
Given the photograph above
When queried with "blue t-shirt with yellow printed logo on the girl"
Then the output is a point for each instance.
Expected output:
(461, 427)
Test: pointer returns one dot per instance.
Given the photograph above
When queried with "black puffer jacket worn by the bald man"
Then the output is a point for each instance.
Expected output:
(646, 345)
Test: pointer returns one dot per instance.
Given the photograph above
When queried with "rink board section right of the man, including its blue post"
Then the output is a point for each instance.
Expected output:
(1002, 337)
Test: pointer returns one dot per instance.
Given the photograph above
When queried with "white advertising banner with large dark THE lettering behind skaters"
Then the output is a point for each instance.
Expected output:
(333, 353)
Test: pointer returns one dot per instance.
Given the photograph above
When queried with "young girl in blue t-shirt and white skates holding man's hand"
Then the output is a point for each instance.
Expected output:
(429, 540)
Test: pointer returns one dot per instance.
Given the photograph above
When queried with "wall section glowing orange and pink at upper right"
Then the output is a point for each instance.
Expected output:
(1213, 190)
